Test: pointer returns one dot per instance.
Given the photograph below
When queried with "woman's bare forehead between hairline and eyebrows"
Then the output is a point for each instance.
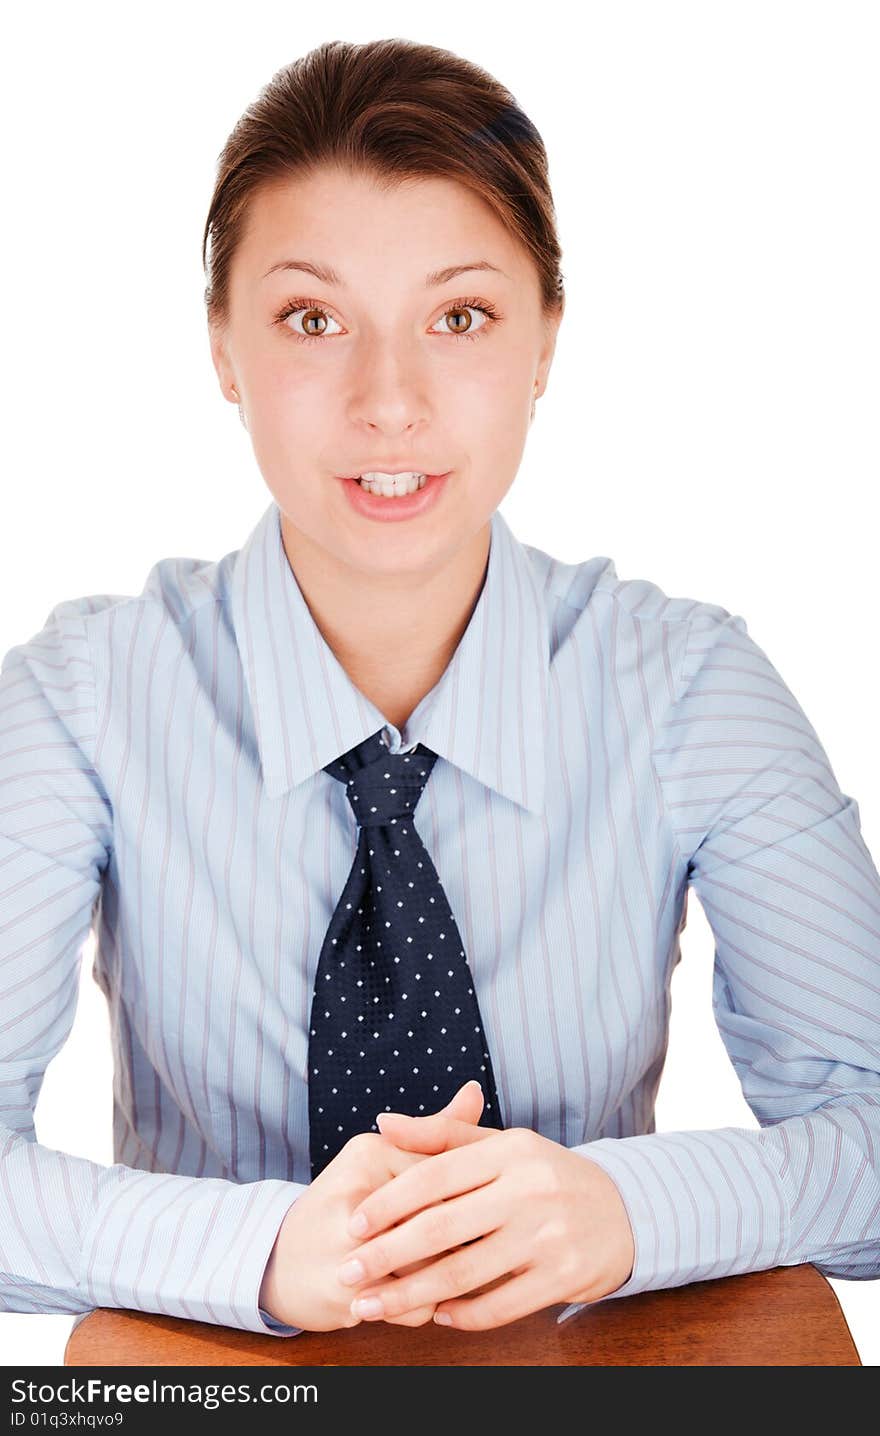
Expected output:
(358, 225)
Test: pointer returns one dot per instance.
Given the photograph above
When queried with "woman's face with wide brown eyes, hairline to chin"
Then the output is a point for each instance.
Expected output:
(383, 367)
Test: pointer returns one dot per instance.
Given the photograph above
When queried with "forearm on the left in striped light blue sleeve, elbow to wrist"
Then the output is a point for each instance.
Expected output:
(77, 1236)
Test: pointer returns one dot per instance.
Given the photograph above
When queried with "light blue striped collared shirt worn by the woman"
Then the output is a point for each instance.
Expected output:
(602, 747)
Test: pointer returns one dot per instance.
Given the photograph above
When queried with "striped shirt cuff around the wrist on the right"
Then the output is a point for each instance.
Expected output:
(701, 1206)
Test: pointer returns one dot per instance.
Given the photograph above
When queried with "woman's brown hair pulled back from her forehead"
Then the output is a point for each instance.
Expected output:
(394, 110)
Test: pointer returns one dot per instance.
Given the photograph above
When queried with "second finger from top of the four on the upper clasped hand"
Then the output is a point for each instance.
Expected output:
(440, 1228)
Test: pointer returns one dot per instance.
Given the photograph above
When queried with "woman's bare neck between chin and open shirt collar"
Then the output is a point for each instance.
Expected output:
(394, 634)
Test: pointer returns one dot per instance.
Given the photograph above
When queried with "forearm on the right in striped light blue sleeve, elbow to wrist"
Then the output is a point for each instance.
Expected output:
(718, 1203)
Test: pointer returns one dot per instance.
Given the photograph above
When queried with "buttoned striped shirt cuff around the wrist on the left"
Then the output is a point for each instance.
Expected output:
(186, 1247)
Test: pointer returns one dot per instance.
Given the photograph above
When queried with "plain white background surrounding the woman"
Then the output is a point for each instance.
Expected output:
(711, 420)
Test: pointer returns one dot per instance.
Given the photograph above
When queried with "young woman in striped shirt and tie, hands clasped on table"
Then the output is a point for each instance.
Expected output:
(387, 821)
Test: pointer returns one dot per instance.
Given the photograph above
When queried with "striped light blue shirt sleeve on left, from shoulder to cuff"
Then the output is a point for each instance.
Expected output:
(77, 1234)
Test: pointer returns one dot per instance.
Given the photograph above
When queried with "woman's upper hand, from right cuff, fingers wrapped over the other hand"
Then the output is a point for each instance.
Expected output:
(509, 1210)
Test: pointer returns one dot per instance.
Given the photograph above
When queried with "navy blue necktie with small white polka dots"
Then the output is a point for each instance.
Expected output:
(395, 1023)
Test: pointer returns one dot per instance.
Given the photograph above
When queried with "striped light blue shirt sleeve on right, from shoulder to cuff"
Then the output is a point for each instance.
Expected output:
(774, 851)
